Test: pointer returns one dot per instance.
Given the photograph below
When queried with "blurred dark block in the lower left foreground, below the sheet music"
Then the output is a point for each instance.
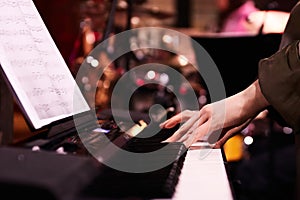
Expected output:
(26, 174)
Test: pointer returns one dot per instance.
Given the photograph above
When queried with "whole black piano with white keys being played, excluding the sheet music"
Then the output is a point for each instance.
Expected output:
(198, 171)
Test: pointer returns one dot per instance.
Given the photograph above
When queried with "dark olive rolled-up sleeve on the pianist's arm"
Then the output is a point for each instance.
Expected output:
(279, 79)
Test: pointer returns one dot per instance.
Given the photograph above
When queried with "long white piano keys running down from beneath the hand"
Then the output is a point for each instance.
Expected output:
(203, 175)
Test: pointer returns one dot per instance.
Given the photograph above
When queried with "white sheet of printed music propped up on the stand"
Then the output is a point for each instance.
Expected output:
(34, 65)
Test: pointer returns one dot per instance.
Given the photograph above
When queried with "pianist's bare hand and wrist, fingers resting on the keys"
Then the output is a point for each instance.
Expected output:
(219, 120)
